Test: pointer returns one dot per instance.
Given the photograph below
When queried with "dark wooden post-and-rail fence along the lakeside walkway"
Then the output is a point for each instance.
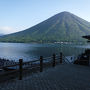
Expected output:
(18, 68)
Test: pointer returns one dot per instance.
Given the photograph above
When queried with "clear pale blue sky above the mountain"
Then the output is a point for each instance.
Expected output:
(18, 15)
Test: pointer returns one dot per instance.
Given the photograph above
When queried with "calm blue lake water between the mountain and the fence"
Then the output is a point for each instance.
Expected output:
(15, 51)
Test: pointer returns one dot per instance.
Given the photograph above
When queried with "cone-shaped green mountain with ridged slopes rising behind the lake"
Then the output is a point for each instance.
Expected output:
(64, 26)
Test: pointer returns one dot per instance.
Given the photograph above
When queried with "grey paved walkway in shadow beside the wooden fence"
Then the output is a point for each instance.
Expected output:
(62, 77)
